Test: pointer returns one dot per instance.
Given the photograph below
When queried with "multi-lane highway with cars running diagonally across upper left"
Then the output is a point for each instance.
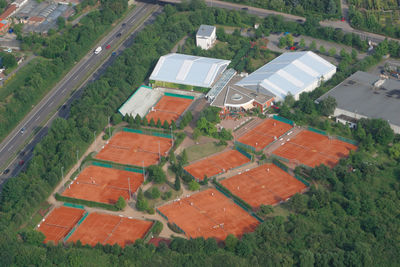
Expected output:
(36, 123)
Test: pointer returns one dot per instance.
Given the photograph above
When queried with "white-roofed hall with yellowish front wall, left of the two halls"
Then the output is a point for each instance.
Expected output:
(173, 69)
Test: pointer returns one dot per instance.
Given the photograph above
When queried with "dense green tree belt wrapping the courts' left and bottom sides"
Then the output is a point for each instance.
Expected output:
(350, 219)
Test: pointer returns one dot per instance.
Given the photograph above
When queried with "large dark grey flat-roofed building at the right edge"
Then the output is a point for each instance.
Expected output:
(365, 95)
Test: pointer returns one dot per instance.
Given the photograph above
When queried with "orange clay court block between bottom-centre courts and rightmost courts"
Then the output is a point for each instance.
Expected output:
(266, 184)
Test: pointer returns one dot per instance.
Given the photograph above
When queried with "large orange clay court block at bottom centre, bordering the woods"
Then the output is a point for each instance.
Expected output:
(209, 214)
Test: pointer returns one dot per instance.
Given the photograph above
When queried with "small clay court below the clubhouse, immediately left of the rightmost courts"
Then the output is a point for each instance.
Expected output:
(265, 133)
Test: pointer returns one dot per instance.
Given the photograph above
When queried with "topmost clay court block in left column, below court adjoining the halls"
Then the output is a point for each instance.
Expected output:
(134, 149)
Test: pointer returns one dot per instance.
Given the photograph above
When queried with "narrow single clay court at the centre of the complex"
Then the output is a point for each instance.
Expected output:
(216, 164)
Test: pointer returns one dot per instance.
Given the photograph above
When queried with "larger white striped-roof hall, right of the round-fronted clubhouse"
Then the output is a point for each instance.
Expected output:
(290, 73)
